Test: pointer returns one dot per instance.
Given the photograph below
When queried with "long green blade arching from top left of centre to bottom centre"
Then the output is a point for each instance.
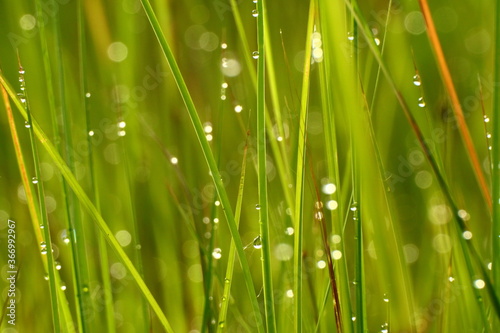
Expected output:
(198, 127)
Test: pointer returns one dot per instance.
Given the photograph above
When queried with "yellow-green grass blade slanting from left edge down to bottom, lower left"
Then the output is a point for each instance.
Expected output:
(89, 206)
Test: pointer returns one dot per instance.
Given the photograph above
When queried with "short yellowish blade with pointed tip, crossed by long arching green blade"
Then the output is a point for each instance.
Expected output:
(228, 280)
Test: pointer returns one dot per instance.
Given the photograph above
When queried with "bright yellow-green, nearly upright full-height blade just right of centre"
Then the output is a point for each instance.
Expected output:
(299, 182)
